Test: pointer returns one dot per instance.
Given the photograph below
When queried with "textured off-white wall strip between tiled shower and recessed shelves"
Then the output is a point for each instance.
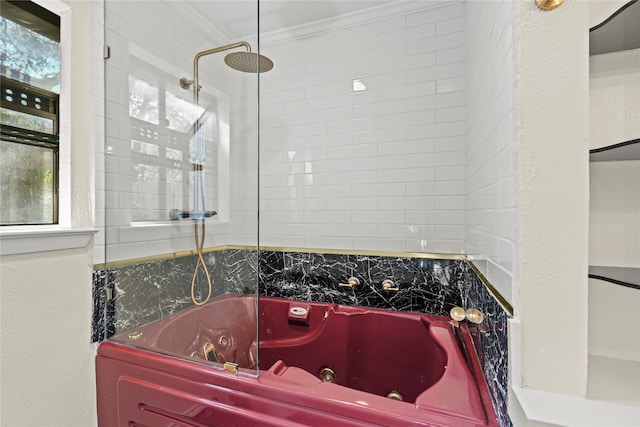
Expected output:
(548, 343)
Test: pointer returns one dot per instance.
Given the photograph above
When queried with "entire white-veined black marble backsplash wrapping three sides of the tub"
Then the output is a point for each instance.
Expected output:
(132, 295)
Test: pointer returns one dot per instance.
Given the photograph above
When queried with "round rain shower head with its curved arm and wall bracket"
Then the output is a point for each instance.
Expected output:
(247, 62)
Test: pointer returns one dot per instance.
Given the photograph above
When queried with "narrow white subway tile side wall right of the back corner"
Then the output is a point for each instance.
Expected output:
(491, 220)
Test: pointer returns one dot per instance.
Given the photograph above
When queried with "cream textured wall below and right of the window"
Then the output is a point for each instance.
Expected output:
(47, 365)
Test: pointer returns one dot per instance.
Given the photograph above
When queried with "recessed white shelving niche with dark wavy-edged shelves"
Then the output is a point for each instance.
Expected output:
(614, 217)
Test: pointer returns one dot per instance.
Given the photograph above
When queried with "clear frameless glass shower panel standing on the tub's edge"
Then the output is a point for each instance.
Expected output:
(180, 180)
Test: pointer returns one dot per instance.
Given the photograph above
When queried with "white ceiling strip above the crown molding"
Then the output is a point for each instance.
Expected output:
(237, 19)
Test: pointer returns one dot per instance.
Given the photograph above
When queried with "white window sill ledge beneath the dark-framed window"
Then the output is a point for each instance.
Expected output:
(31, 239)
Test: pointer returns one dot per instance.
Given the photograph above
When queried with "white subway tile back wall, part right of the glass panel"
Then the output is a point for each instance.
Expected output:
(382, 168)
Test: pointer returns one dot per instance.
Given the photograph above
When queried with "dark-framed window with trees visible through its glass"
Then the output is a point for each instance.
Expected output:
(30, 84)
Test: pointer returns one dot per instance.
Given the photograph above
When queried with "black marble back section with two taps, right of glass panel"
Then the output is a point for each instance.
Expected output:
(423, 285)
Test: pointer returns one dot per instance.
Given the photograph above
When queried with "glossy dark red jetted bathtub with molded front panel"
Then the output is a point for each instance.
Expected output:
(319, 365)
